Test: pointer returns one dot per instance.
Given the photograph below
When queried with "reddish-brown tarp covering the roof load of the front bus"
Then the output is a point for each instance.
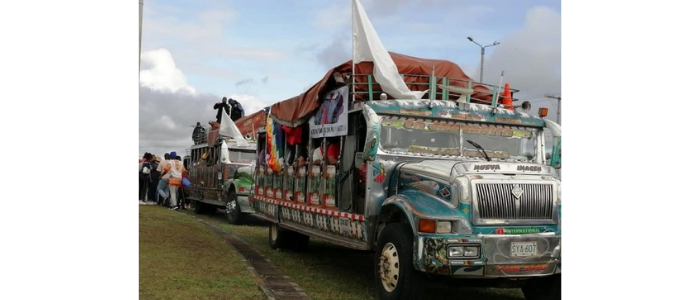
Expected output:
(295, 111)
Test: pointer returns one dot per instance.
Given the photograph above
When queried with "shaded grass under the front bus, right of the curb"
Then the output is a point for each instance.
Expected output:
(329, 272)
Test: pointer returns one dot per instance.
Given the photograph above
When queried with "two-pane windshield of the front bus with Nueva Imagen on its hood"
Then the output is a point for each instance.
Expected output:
(436, 137)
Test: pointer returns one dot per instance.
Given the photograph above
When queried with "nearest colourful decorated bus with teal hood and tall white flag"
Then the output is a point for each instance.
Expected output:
(410, 158)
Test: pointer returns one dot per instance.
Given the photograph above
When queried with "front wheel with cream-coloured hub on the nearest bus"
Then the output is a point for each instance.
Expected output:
(394, 275)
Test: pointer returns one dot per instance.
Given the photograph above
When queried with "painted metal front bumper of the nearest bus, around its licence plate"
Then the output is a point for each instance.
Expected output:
(494, 260)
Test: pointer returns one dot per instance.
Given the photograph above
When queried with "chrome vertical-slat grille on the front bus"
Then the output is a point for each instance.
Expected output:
(496, 201)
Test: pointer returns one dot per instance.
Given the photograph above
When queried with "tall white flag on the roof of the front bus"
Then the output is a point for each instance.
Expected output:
(367, 47)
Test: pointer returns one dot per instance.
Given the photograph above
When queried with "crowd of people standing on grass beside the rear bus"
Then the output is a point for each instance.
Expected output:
(161, 181)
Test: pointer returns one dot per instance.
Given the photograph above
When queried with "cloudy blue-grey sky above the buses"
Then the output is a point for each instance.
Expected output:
(193, 53)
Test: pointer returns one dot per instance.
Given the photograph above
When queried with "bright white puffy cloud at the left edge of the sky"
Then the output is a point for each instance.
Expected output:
(160, 73)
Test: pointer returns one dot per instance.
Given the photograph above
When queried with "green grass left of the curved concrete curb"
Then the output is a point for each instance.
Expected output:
(179, 258)
